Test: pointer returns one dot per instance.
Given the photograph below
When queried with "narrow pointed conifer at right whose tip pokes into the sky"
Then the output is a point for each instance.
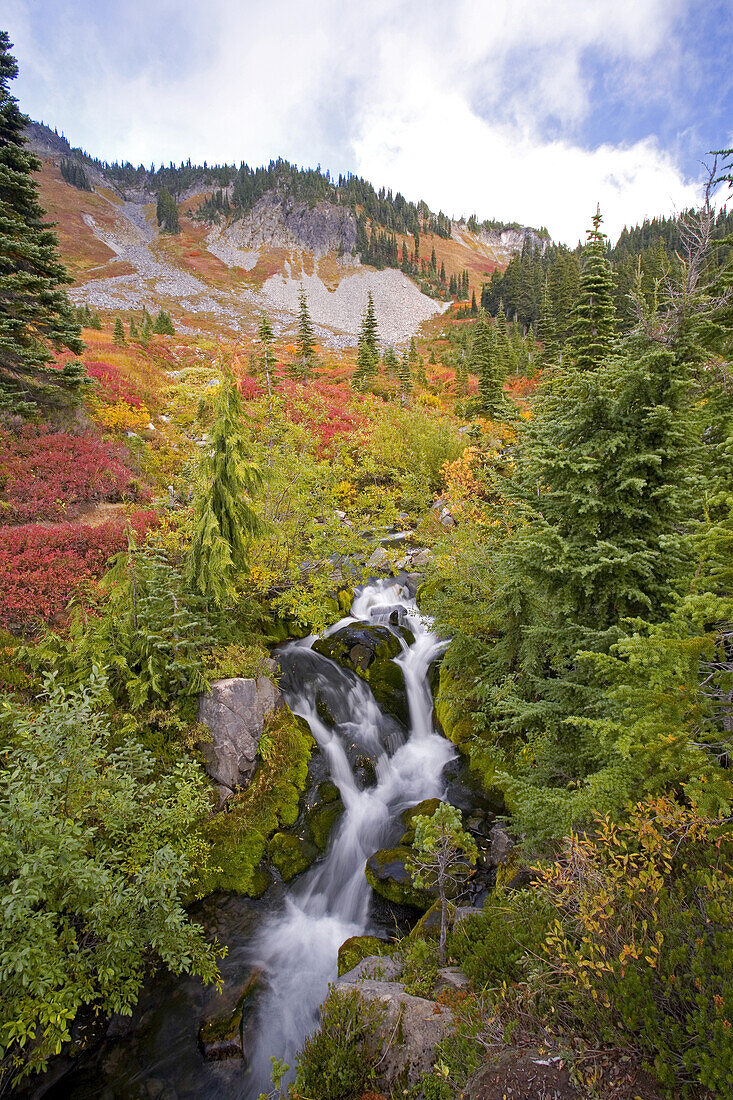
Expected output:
(594, 324)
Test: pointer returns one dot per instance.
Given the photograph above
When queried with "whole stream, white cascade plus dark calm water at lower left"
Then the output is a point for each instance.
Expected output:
(294, 933)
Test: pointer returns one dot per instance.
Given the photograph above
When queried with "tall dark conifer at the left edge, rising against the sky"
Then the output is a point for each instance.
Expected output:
(36, 316)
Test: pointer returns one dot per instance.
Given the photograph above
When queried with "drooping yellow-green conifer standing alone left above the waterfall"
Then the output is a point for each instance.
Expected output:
(225, 521)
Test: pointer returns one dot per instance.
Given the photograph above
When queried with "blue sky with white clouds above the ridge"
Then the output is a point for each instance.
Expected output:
(520, 111)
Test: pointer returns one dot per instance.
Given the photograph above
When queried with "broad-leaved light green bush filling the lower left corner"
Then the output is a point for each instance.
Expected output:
(95, 856)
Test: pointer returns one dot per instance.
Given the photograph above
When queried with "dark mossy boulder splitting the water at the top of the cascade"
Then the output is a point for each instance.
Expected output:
(370, 651)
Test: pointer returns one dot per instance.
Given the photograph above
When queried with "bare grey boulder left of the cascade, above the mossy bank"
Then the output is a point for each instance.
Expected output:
(235, 713)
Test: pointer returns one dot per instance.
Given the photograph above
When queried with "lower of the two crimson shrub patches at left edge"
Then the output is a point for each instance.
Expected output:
(42, 567)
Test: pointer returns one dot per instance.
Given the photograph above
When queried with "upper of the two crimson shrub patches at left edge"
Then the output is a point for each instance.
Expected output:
(49, 475)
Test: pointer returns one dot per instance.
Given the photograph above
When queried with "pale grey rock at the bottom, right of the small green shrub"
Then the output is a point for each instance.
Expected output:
(411, 1030)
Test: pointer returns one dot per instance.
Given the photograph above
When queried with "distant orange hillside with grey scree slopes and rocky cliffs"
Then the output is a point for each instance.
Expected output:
(249, 240)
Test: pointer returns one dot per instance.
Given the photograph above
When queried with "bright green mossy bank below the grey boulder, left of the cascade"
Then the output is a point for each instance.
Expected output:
(238, 837)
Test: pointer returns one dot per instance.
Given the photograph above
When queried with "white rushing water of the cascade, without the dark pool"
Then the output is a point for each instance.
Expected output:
(299, 949)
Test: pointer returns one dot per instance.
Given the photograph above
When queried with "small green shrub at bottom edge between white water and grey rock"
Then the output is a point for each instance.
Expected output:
(338, 1062)
